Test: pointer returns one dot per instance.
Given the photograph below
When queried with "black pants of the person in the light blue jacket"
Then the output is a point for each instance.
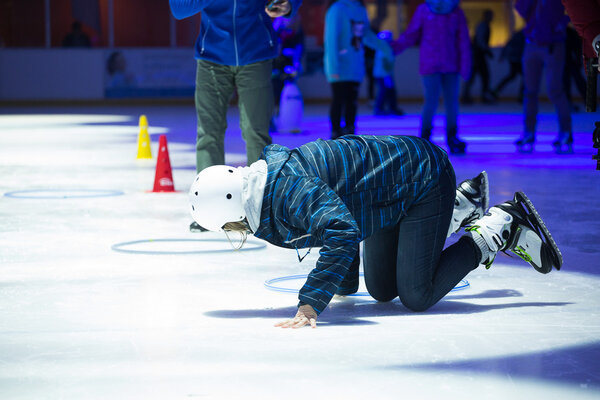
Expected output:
(344, 102)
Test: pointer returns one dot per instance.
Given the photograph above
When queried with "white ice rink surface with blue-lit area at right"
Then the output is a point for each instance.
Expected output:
(168, 320)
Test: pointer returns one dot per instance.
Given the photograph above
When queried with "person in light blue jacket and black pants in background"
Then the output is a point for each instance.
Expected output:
(347, 30)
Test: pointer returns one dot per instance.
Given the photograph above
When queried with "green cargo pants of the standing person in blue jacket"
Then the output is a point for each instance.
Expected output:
(215, 84)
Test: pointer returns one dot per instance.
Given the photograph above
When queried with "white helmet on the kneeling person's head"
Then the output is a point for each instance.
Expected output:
(216, 197)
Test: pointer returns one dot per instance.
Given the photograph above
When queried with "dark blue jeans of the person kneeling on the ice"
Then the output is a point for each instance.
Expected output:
(407, 260)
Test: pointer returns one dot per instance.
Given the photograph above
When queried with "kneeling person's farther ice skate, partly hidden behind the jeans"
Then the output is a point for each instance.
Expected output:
(471, 202)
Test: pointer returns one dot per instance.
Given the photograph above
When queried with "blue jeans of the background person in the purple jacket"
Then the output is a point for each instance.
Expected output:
(448, 85)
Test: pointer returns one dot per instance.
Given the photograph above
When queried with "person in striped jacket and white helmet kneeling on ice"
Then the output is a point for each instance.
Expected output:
(396, 193)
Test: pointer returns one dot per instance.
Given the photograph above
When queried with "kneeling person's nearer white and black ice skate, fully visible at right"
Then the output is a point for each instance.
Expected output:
(517, 226)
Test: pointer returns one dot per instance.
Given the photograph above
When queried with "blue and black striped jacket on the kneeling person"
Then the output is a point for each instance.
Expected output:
(333, 194)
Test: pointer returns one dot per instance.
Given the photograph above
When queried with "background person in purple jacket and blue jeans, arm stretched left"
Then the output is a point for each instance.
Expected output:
(440, 28)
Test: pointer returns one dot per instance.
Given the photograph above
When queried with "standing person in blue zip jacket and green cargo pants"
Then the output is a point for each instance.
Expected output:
(234, 51)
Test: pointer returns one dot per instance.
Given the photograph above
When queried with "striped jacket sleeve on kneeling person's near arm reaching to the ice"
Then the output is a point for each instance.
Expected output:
(312, 207)
